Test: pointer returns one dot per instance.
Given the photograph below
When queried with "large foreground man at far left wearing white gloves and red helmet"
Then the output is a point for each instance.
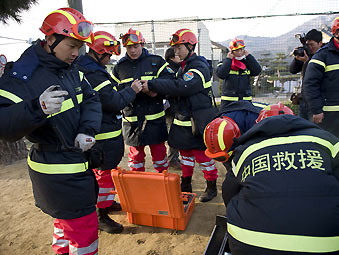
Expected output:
(46, 99)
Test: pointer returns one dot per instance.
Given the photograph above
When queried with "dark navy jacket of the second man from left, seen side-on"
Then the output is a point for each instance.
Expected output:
(109, 140)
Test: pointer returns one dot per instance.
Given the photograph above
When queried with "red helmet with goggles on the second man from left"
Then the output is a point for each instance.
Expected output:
(105, 43)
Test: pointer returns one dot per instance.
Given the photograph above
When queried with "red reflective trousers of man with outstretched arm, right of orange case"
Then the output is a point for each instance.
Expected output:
(207, 165)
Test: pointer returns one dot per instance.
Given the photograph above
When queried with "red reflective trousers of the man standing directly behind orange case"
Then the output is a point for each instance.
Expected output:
(137, 157)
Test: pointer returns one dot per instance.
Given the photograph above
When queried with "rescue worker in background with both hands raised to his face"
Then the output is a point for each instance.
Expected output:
(236, 71)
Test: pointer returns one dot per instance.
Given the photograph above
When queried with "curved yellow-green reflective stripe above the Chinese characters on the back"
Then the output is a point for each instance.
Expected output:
(285, 140)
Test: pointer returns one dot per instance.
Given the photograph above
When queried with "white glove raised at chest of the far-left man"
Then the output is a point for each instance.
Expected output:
(51, 99)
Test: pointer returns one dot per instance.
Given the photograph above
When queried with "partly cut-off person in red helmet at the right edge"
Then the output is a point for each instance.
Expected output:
(321, 83)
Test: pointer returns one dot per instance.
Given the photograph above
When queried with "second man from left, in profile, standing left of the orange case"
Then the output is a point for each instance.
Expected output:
(109, 140)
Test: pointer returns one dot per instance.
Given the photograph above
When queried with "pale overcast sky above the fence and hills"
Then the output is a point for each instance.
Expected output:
(99, 11)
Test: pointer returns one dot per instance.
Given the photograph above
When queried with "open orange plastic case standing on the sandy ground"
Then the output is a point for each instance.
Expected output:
(153, 199)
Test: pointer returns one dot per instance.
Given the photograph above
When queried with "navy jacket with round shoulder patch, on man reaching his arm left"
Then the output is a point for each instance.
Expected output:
(189, 93)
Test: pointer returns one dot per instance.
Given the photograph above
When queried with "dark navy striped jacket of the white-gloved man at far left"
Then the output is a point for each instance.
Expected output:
(63, 186)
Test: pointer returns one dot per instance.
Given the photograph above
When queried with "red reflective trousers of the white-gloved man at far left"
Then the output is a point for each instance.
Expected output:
(76, 236)
